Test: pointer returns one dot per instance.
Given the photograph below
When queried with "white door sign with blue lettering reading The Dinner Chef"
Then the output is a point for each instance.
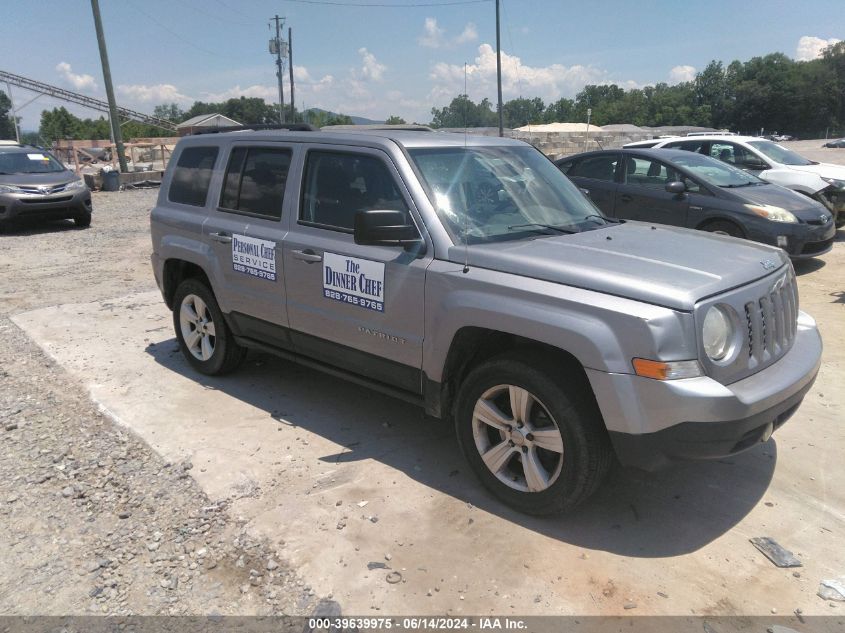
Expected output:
(359, 282)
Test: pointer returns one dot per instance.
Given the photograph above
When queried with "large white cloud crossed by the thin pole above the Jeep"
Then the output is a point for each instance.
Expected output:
(548, 82)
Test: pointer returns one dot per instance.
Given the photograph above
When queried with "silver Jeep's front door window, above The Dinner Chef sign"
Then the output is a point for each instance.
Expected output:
(339, 185)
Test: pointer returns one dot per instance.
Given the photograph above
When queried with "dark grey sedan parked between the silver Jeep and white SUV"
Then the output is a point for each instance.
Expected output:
(695, 191)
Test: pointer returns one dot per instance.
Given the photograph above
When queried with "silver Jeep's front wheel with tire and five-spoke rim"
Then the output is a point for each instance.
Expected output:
(538, 446)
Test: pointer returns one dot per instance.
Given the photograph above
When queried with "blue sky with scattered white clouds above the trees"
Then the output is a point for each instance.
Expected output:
(401, 59)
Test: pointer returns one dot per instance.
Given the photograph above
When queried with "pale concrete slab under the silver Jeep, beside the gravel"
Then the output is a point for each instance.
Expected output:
(340, 477)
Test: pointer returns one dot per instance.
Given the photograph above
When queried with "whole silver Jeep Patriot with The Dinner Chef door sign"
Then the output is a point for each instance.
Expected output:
(470, 276)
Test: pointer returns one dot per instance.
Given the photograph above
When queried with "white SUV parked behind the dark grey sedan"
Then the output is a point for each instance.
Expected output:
(771, 162)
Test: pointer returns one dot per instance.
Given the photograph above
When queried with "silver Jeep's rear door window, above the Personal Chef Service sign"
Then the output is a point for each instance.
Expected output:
(255, 181)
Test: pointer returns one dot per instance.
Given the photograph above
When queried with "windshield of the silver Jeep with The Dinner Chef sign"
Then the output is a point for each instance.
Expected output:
(488, 194)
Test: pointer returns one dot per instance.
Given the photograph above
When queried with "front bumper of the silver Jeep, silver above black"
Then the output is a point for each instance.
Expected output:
(653, 423)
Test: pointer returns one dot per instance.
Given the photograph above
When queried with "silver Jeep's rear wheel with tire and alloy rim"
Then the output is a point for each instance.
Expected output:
(204, 338)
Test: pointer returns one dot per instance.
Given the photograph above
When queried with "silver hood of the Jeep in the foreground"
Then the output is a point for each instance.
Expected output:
(657, 264)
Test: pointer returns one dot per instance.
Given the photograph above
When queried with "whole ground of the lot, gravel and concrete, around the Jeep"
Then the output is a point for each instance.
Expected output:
(129, 484)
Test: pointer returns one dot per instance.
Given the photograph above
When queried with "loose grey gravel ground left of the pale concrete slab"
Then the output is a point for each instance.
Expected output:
(93, 521)
